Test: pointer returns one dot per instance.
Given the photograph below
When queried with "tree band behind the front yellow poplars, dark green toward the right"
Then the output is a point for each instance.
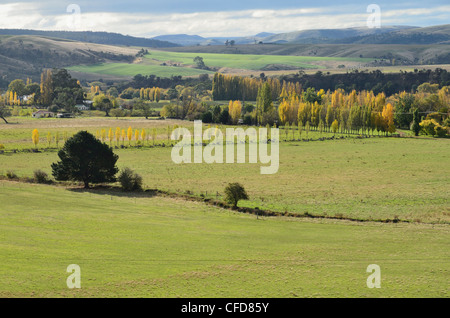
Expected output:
(226, 87)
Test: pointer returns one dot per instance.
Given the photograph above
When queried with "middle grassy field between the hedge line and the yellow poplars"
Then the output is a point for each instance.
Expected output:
(370, 178)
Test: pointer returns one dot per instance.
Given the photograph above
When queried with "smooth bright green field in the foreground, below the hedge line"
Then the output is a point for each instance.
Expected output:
(158, 247)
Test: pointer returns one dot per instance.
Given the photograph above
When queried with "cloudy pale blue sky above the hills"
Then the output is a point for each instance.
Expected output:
(215, 18)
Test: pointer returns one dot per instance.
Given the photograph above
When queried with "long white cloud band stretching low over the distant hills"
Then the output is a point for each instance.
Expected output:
(224, 23)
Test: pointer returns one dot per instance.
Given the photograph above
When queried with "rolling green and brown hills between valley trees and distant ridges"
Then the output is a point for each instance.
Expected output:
(26, 56)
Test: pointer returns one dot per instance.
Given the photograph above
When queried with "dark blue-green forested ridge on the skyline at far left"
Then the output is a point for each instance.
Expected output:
(93, 37)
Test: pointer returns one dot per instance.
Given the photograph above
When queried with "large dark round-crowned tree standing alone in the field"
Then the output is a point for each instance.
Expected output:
(85, 158)
